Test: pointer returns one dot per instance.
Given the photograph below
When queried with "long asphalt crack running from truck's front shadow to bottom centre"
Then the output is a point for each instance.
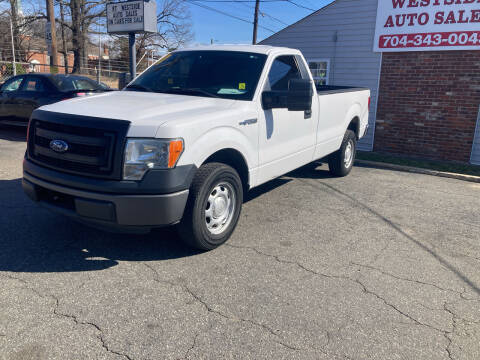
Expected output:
(207, 307)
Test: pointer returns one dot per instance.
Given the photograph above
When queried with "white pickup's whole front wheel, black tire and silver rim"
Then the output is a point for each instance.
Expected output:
(213, 208)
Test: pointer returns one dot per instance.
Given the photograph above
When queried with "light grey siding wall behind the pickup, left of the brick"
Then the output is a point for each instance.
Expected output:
(352, 60)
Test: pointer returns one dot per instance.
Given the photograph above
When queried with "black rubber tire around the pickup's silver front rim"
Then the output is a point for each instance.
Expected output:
(193, 227)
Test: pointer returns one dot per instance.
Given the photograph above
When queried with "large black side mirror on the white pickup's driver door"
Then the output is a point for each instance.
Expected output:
(298, 97)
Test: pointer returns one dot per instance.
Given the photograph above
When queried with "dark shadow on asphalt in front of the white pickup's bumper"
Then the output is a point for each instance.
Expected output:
(33, 239)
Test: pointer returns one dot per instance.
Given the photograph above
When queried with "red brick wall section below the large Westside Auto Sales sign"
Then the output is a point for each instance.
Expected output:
(428, 104)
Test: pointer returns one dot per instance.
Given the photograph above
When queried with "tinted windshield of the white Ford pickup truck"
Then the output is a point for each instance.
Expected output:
(222, 74)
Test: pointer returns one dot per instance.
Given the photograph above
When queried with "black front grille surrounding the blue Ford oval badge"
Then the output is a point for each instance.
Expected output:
(92, 151)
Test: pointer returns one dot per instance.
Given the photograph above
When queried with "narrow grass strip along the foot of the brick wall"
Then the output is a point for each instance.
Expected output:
(445, 166)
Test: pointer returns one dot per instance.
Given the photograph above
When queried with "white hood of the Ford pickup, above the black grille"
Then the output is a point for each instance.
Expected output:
(145, 111)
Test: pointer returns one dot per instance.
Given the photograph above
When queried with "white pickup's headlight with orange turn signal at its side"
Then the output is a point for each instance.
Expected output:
(142, 155)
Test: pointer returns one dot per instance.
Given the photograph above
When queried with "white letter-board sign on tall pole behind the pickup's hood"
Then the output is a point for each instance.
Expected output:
(132, 17)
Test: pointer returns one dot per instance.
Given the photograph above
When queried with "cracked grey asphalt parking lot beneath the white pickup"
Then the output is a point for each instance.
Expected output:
(377, 265)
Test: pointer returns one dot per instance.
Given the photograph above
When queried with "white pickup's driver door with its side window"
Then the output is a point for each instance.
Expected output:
(287, 138)
